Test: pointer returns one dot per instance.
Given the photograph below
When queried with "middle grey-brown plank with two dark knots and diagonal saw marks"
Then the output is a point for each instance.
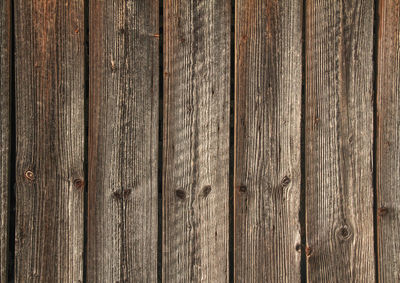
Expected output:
(196, 140)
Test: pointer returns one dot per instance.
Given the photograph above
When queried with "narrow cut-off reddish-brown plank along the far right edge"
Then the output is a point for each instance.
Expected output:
(388, 142)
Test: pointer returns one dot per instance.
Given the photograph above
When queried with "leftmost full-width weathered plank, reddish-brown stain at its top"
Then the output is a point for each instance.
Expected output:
(50, 140)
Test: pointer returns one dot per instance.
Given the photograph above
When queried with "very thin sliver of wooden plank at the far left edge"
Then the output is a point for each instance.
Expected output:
(4, 133)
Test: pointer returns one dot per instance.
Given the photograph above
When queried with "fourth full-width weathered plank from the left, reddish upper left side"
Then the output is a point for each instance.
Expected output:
(268, 51)
